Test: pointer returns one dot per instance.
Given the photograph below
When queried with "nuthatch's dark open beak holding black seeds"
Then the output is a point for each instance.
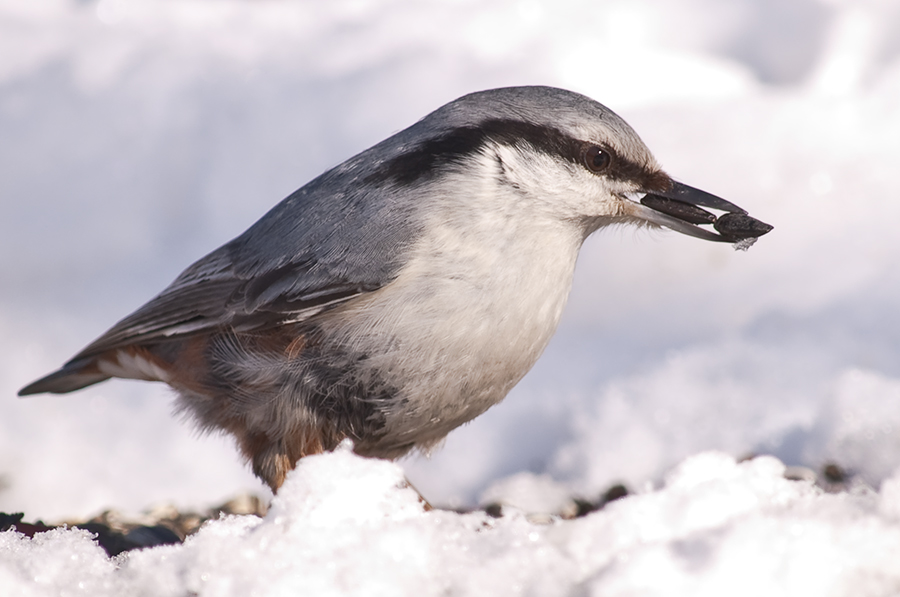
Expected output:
(680, 208)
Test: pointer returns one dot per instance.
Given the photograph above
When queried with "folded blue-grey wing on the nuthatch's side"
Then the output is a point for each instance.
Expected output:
(328, 242)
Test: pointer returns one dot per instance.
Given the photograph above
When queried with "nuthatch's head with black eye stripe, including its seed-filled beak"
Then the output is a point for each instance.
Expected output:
(563, 153)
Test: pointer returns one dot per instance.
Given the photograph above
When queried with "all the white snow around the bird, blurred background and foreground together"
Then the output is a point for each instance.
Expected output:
(137, 135)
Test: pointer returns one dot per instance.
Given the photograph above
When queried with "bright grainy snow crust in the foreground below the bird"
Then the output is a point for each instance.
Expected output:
(343, 525)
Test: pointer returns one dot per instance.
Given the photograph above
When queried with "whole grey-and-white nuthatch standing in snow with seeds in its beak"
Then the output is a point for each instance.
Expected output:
(405, 291)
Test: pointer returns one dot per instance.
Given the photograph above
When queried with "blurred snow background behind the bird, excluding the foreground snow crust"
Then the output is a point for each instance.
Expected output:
(137, 135)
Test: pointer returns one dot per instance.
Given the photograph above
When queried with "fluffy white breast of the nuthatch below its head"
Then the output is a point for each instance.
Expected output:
(472, 310)
